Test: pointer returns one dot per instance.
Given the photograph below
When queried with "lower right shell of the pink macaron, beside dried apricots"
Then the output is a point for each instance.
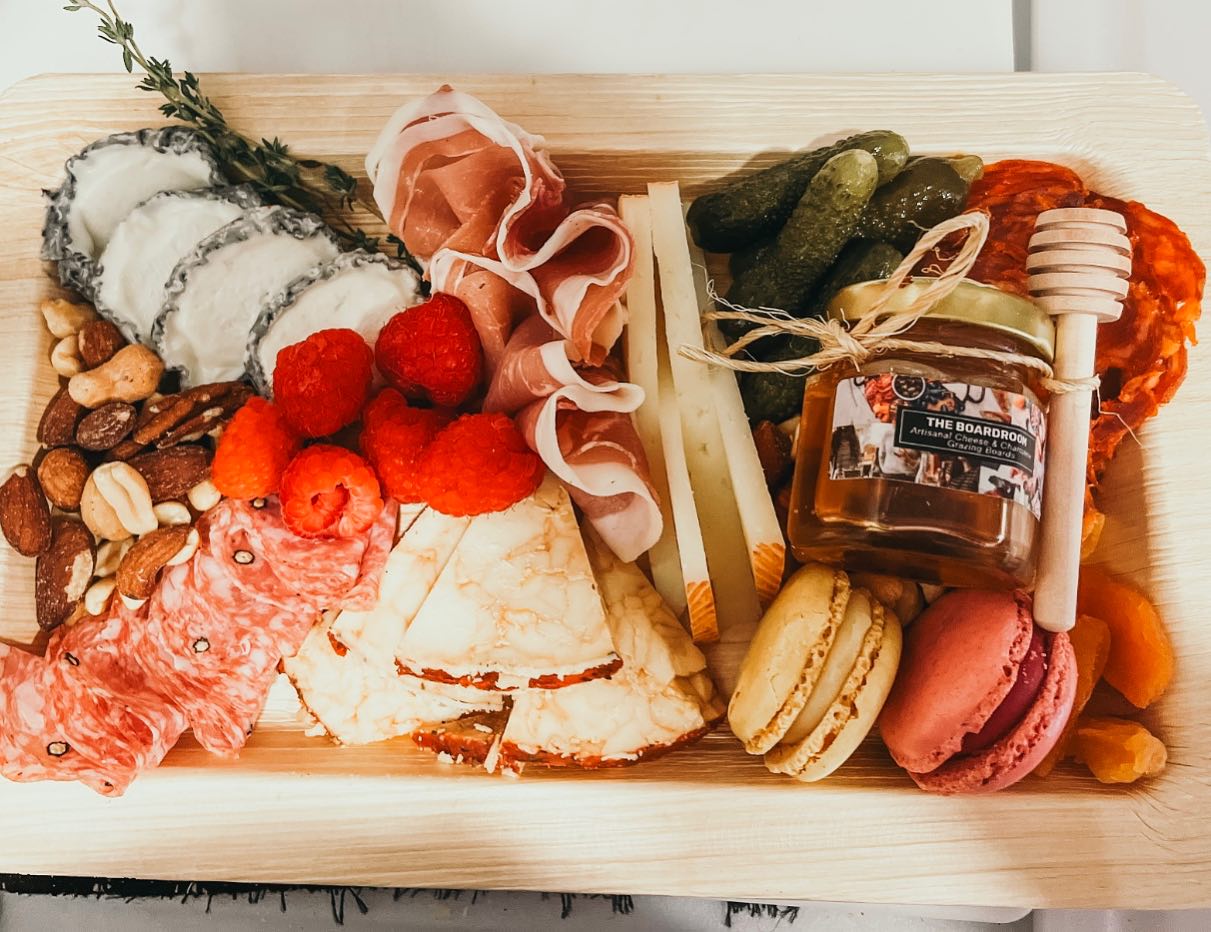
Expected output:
(1024, 749)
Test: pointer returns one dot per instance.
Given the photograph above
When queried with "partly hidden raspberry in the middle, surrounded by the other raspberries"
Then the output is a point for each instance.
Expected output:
(394, 434)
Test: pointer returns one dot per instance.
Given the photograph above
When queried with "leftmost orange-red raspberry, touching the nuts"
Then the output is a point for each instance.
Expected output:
(254, 452)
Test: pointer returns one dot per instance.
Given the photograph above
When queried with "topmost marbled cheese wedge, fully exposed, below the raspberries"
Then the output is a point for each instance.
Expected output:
(516, 605)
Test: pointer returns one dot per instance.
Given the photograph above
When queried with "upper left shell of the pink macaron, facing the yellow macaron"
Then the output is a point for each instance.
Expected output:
(961, 661)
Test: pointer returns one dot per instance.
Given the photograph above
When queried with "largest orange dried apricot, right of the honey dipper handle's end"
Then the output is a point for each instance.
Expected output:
(1141, 661)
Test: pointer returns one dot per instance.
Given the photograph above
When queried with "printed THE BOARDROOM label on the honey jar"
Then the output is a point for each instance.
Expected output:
(951, 435)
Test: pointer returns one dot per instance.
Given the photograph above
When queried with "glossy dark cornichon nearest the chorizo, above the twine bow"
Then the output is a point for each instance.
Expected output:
(926, 193)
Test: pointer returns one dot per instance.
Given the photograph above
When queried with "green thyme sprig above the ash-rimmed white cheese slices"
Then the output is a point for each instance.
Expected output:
(268, 166)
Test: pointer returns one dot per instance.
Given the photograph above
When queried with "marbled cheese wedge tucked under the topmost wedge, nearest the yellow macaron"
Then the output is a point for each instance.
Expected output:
(662, 699)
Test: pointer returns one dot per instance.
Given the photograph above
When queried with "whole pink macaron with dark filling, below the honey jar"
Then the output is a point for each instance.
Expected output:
(983, 694)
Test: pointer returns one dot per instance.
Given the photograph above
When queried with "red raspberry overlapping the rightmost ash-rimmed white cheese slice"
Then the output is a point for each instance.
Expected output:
(322, 383)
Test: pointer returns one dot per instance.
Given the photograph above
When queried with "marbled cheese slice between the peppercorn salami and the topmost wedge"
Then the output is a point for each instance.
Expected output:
(412, 569)
